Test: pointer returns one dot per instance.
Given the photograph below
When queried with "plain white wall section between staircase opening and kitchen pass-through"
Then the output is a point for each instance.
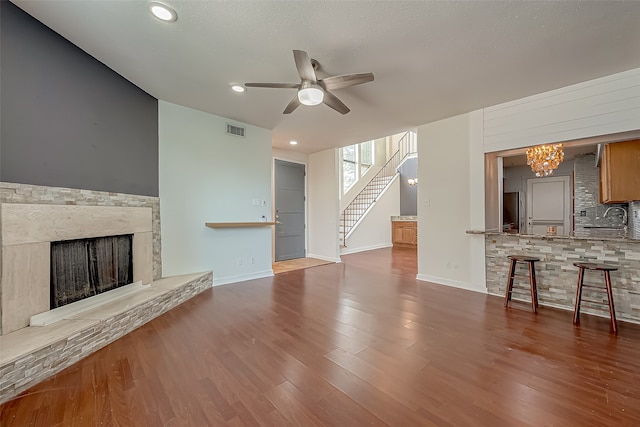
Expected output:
(448, 207)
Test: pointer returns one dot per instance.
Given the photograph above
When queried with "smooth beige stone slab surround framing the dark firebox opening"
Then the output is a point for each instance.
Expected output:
(27, 233)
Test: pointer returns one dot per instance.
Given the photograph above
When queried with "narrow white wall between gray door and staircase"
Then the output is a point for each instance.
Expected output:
(324, 204)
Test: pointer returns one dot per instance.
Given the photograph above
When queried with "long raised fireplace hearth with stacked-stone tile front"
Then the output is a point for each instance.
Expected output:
(33, 354)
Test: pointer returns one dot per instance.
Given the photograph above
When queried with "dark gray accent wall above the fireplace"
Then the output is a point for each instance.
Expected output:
(67, 120)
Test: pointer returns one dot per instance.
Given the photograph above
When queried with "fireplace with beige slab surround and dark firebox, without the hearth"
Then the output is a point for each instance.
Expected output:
(30, 233)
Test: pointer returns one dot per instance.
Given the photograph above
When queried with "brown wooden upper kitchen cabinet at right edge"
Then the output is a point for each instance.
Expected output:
(620, 172)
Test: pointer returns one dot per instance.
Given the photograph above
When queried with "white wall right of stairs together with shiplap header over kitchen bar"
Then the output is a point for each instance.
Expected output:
(451, 203)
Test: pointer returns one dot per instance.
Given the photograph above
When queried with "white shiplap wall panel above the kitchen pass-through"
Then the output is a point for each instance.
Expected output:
(601, 106)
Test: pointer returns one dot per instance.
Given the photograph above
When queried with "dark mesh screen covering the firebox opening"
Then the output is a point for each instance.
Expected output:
(86, 267)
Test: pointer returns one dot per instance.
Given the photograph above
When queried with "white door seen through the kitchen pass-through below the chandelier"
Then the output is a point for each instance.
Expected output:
(548, 203)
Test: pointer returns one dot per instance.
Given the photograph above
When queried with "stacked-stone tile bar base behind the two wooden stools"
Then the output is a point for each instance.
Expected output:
(557, 277)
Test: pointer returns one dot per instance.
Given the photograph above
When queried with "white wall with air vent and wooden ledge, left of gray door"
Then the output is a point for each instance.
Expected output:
(209, 176)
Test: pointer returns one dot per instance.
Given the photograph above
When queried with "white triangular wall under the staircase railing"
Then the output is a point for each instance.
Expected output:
(374, 231)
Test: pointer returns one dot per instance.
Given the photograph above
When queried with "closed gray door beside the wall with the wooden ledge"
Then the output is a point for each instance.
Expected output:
(289, 207)
